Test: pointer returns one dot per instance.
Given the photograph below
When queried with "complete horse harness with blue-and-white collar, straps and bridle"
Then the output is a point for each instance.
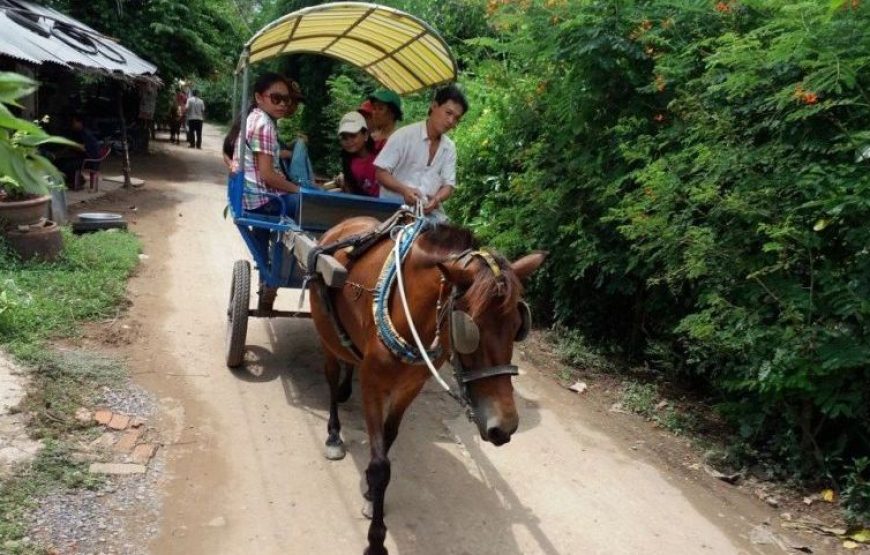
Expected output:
(464, 332)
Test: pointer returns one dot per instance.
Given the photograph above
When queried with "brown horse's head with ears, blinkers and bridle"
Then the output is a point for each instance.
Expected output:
(488, 317)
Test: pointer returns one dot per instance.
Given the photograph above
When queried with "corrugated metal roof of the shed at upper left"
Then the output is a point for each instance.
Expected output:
(37, 34)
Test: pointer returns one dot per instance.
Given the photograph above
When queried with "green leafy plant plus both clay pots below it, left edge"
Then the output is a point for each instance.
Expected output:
(26, 177)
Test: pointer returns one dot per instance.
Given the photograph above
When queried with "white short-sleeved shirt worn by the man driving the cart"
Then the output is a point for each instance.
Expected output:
(406, 156)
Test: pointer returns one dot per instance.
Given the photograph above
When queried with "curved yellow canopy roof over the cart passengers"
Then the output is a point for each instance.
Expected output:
(400, 51)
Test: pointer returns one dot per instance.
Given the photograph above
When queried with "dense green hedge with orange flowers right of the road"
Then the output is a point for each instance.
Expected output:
(700, 172)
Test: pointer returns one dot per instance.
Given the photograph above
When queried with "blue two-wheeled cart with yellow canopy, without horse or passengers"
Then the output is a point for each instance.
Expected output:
(399, 51)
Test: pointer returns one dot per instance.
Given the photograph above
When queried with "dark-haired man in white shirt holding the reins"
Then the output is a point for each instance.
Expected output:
(419, 160)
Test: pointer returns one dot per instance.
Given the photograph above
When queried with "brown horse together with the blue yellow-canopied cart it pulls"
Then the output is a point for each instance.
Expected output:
(456, 301)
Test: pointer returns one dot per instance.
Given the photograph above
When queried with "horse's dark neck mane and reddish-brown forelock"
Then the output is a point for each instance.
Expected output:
(486, 291)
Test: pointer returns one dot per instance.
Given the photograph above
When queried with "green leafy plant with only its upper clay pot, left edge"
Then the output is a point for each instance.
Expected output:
(26, 177)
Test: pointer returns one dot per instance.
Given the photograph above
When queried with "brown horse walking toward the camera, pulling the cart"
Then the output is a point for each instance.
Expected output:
(439, 274)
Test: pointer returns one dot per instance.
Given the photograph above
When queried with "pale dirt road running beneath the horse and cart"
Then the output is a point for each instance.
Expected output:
(246, 471)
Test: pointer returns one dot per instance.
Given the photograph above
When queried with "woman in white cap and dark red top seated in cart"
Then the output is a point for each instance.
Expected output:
(357, 156)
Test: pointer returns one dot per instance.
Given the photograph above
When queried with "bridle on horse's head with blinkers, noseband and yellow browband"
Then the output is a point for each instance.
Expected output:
(465, 334)
